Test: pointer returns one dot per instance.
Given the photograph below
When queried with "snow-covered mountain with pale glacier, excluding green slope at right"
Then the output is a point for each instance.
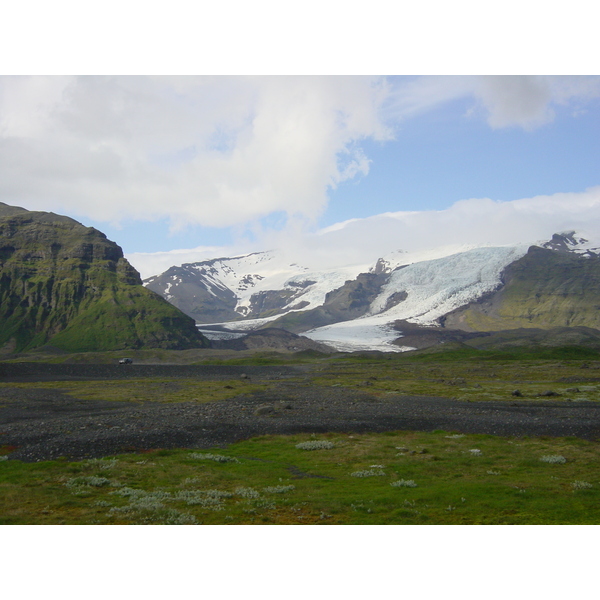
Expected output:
(354, 306)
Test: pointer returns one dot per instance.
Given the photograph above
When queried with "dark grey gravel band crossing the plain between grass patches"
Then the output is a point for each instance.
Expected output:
(44, 424)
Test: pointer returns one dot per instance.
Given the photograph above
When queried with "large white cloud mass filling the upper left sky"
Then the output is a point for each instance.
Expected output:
(226, 151)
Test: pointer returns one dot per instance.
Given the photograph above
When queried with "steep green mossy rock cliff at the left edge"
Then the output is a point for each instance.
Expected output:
(65, 285)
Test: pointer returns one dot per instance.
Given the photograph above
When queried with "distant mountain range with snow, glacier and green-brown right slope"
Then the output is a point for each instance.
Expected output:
(553, 284)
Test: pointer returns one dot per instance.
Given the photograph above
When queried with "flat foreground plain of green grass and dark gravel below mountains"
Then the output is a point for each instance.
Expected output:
(193, 439)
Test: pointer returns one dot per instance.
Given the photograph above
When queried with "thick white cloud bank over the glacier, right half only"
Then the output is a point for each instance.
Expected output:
(477, 221)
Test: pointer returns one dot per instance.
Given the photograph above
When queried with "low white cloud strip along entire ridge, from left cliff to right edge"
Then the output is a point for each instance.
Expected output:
(472, 222)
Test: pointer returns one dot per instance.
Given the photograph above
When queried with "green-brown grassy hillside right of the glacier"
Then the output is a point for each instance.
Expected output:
(544, 289)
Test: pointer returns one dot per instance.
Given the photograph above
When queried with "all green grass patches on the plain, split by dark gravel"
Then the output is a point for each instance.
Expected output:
(389, 478)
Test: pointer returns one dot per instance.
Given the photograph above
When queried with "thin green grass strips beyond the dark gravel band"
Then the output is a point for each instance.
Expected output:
(468, 375)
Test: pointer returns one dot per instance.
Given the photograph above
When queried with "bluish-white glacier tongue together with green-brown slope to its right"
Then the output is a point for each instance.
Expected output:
(551, 286)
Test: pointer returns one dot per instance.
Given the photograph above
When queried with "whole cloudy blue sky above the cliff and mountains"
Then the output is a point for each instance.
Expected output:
(238, 163)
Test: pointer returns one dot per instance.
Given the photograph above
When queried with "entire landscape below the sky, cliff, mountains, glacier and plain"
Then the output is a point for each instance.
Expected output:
(454, 385)
